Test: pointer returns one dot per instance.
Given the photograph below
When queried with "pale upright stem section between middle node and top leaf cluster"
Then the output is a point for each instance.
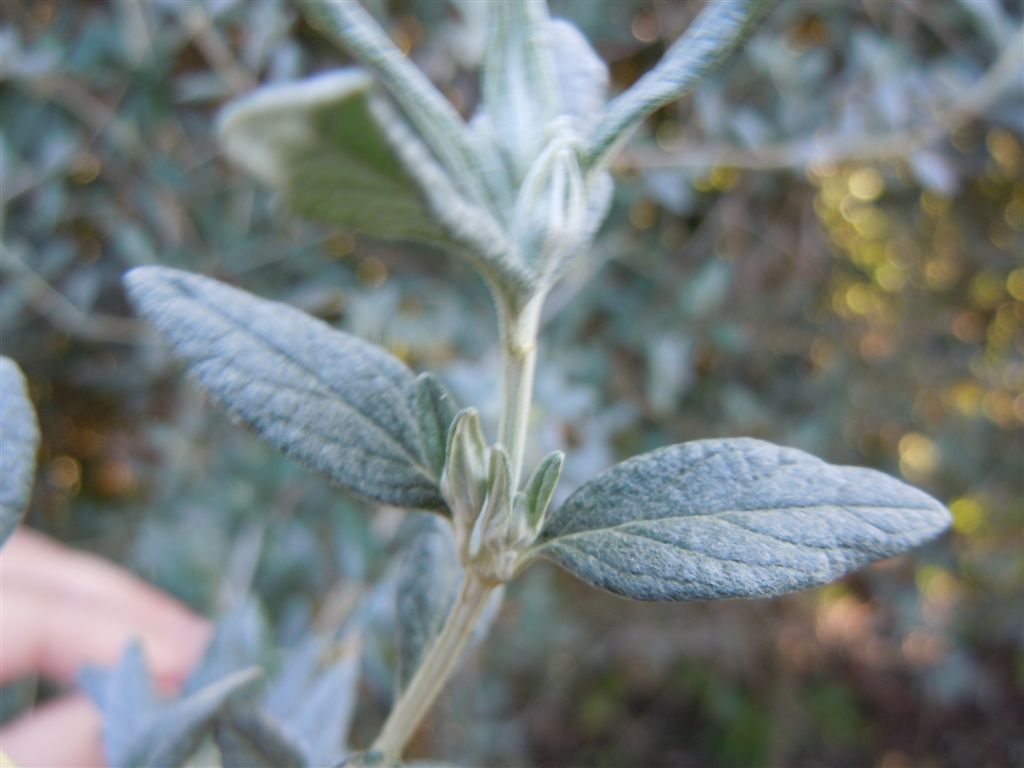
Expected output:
(519, 331)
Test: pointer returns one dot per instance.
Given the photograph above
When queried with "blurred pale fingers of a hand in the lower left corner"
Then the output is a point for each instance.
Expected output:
(62, 610)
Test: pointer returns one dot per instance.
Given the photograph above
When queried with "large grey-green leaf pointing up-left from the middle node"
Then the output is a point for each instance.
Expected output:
(338, 405)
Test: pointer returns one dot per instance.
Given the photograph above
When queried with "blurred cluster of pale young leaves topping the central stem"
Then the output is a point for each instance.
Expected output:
(519, 191)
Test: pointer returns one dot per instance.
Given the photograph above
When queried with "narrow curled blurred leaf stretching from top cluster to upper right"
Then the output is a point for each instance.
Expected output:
(702, 49)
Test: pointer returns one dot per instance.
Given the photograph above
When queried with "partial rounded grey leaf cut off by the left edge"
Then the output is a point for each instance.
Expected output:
(19, 443)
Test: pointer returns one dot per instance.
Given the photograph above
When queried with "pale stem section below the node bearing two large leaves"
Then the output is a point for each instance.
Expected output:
(435, 670)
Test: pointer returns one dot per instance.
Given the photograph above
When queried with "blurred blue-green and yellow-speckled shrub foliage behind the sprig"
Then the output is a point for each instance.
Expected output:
(822, 247)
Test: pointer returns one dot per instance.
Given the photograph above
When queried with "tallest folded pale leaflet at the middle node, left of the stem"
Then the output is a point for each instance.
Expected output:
(465, 476)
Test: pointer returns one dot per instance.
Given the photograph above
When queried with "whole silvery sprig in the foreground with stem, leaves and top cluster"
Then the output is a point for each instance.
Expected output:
(520, 191)
